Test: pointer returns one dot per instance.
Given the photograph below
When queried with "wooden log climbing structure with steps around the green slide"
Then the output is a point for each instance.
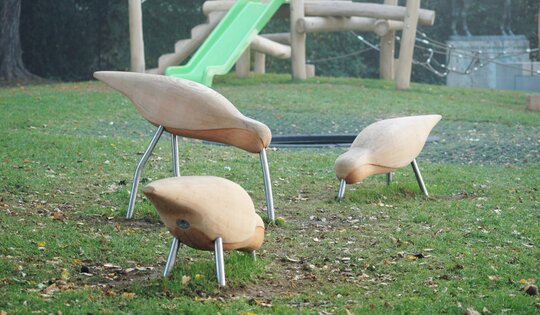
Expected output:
(306, 16)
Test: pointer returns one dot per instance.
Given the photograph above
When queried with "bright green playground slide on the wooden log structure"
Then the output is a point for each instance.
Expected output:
(227, 41)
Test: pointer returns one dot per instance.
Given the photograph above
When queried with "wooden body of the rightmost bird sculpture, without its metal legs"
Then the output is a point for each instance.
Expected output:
(385, 146)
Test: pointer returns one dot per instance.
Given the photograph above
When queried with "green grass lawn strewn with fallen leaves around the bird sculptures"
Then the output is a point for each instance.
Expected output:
(66, 161)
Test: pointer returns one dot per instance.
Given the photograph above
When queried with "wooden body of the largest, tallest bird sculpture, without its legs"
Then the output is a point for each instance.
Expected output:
(188, 109)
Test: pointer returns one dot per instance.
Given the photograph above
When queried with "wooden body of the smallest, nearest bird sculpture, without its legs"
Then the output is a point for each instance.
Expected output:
(199, 209)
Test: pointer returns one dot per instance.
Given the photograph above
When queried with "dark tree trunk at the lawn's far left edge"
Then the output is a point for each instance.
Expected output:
(11, 65)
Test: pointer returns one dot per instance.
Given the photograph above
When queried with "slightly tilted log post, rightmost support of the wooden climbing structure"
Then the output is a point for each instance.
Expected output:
(406, 48)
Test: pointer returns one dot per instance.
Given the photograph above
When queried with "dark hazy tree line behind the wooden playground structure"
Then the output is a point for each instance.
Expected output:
(70, 39)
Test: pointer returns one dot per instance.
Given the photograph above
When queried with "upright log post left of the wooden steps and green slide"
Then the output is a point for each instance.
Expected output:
(136, 36)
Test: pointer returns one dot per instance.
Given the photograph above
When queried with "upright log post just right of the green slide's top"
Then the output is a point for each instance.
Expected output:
(298, 41)
